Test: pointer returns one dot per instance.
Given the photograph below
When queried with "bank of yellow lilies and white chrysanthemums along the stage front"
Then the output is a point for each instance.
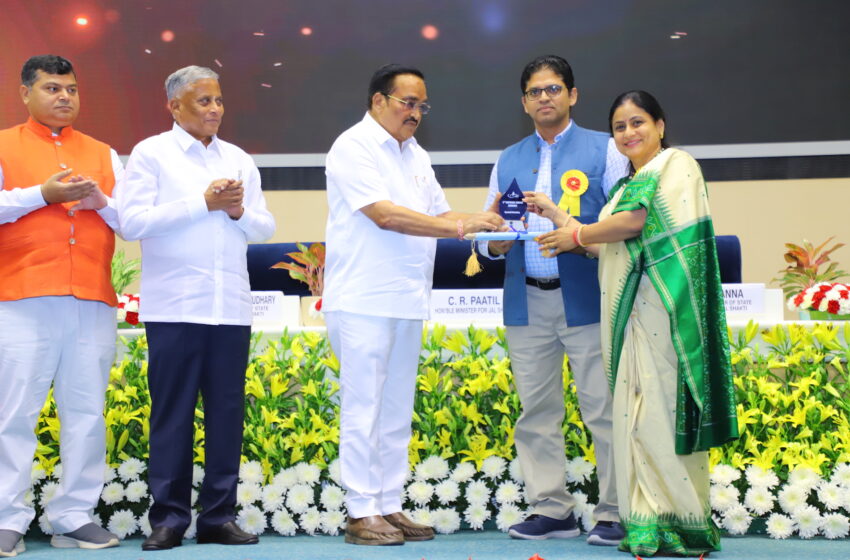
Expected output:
(790, 468)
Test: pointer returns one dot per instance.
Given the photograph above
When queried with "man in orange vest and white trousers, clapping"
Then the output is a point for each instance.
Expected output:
(57, 305)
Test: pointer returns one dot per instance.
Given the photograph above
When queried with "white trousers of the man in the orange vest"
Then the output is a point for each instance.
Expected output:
(71, 344)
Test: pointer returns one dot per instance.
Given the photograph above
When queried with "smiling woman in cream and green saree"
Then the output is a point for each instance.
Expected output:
(663, 333)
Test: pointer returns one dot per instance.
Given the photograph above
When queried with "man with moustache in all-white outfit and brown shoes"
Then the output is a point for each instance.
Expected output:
(386, 208)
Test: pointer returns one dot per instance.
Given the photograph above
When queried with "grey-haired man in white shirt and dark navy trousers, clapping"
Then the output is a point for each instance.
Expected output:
(195, 202)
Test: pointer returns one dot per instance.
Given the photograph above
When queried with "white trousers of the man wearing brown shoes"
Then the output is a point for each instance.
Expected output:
(378, 359)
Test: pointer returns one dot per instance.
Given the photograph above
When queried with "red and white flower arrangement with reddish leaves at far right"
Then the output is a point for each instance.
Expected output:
(811, 290)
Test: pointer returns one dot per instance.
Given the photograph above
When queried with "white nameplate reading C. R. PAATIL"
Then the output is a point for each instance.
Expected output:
(479, 307)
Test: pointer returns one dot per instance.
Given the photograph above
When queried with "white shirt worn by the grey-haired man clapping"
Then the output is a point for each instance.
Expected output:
(194, 261)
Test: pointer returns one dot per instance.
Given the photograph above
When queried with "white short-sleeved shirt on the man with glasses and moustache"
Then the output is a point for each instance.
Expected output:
(369, 270)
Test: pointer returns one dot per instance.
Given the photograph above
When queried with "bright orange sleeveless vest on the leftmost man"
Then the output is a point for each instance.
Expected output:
(53, 251)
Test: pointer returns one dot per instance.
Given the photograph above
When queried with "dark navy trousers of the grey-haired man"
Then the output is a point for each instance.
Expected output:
(186, 358)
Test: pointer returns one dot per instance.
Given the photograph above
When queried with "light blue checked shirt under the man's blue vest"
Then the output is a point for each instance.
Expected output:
(536, 265)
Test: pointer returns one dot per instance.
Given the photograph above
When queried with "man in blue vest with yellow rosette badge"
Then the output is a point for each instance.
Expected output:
(551, 306)
